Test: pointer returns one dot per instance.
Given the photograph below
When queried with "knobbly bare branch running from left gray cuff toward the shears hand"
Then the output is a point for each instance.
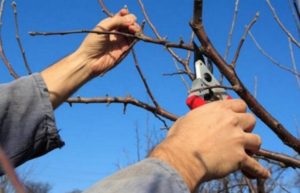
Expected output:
(124, 100)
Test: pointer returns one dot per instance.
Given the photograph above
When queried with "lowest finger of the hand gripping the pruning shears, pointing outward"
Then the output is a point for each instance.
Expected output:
(252, 168)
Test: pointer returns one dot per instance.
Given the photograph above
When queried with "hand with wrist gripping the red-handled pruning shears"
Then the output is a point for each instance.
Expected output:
(210, 142)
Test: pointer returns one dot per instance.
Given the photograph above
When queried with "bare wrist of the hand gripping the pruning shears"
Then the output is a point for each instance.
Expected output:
(190, 169)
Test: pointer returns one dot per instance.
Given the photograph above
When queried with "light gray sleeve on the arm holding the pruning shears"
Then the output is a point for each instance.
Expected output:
(147, 176)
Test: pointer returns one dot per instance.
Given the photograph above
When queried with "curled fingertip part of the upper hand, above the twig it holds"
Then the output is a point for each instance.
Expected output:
(122, 19)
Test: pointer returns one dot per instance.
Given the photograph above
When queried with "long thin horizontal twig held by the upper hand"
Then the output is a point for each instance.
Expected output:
(141, 37)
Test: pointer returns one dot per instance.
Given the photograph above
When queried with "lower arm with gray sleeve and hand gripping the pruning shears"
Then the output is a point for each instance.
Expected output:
(208, 143)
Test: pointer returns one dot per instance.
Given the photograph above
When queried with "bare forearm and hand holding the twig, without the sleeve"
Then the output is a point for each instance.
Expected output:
(96, 55)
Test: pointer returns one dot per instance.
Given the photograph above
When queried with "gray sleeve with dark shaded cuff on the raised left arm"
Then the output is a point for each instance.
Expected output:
(27, 124)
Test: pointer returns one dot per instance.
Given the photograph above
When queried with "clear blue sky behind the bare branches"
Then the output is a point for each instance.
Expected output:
(98, 137)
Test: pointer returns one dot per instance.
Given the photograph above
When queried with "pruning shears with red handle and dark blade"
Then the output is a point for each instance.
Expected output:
(205, 88)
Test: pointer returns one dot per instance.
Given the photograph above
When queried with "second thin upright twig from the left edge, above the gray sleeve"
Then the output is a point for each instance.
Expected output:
(14, 6)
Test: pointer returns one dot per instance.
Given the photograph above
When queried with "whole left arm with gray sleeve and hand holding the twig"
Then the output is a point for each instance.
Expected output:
(27, 125)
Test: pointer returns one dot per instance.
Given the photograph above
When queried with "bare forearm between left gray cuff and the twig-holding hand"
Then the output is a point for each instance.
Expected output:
(65, 77)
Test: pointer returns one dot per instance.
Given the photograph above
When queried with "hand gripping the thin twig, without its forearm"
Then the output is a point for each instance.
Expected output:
(102, 51)
